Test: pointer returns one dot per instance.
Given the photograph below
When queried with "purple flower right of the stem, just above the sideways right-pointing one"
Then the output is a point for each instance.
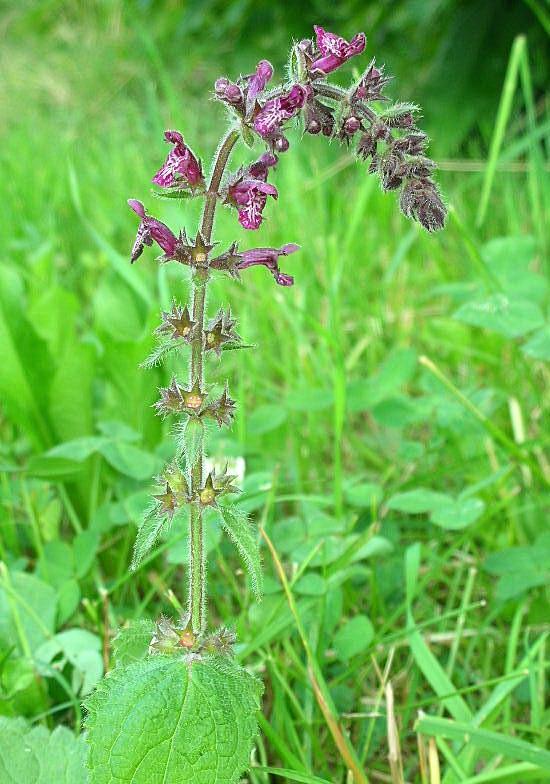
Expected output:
(249, 193)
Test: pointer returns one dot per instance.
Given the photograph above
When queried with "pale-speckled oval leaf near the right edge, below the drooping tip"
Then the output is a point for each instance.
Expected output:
(509, 317)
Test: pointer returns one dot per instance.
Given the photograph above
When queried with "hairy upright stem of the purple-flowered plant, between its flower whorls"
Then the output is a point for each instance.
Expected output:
(197, 555)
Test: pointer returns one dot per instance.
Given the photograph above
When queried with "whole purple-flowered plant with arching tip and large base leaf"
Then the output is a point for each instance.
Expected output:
(177, 707)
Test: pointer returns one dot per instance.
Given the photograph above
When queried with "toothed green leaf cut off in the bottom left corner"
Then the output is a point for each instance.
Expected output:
(34, 756)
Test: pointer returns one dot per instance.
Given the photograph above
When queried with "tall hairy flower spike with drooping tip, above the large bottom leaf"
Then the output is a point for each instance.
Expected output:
(361, 116)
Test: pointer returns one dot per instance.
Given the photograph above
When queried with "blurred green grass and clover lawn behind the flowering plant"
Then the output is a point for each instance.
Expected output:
(393, 418)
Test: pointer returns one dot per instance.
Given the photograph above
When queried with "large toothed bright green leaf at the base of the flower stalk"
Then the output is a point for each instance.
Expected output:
(170, 720)
